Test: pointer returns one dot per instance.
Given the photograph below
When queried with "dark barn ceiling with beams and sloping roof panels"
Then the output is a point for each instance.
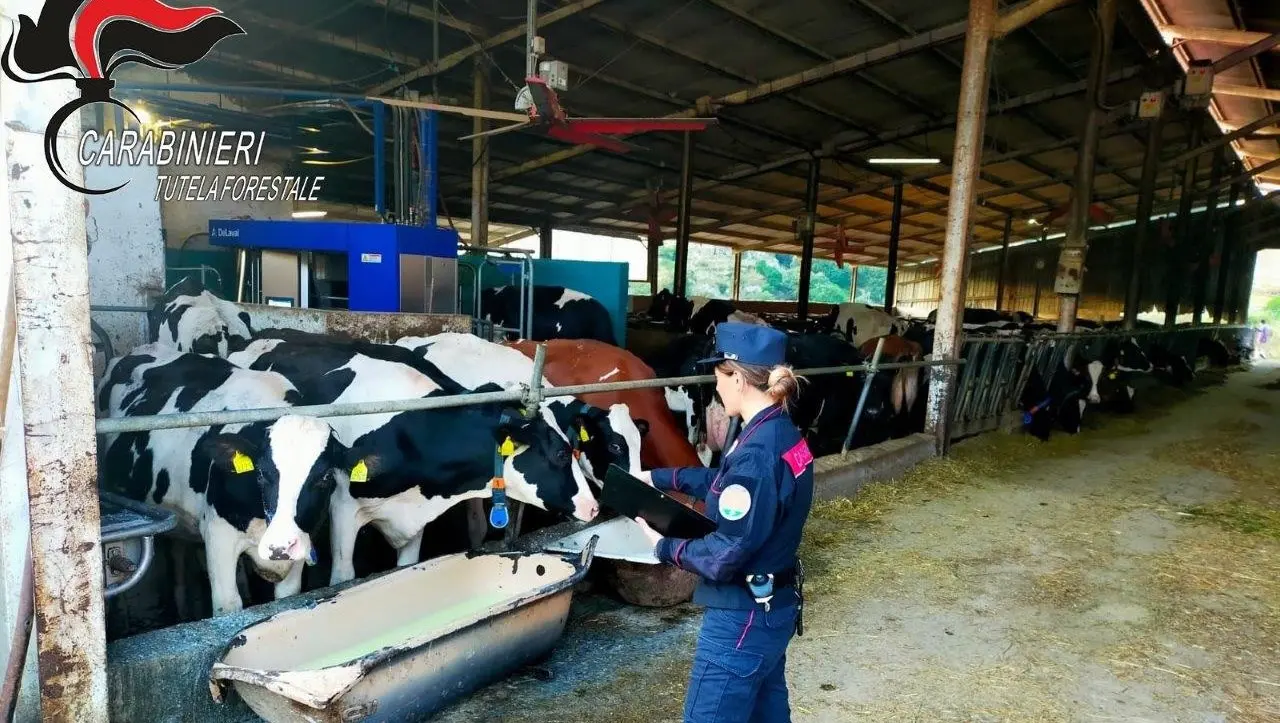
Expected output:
(848, 79)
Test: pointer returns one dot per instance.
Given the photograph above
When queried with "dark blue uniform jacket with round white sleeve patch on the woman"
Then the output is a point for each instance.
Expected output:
(772, 464)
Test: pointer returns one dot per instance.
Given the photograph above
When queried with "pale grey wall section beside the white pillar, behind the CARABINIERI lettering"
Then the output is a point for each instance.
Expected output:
(126, 250)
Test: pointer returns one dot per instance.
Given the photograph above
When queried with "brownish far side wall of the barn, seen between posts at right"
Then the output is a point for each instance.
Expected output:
(1105, 280)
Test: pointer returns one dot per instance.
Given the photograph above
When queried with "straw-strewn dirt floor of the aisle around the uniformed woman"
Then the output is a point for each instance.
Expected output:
(1128, 574)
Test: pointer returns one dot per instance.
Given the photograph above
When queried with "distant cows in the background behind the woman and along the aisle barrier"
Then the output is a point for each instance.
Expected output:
(680, 331)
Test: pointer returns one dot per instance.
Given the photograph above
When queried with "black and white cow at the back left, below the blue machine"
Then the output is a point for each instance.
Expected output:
(200, 323)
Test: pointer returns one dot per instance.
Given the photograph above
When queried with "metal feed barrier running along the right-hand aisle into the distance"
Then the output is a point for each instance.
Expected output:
(999, 369)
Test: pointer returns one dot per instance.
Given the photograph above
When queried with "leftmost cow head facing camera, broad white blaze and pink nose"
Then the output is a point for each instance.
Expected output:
(295, 477)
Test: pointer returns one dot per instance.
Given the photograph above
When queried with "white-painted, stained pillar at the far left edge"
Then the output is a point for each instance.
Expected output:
(51, 286)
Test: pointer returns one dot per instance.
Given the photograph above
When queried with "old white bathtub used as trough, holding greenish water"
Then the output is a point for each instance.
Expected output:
(404, 646)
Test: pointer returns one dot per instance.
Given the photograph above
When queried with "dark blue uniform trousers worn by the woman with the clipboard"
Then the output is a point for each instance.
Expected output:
(739, 667)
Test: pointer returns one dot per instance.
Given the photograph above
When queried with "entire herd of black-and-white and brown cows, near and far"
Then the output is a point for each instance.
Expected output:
(272, 492)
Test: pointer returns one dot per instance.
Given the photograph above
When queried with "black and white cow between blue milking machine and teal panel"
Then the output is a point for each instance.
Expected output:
(559, 314)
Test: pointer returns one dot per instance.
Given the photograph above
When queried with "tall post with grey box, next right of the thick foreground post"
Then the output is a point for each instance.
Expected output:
(1076, 246)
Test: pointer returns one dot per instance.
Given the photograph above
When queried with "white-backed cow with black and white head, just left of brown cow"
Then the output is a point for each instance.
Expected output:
(612, 437)
